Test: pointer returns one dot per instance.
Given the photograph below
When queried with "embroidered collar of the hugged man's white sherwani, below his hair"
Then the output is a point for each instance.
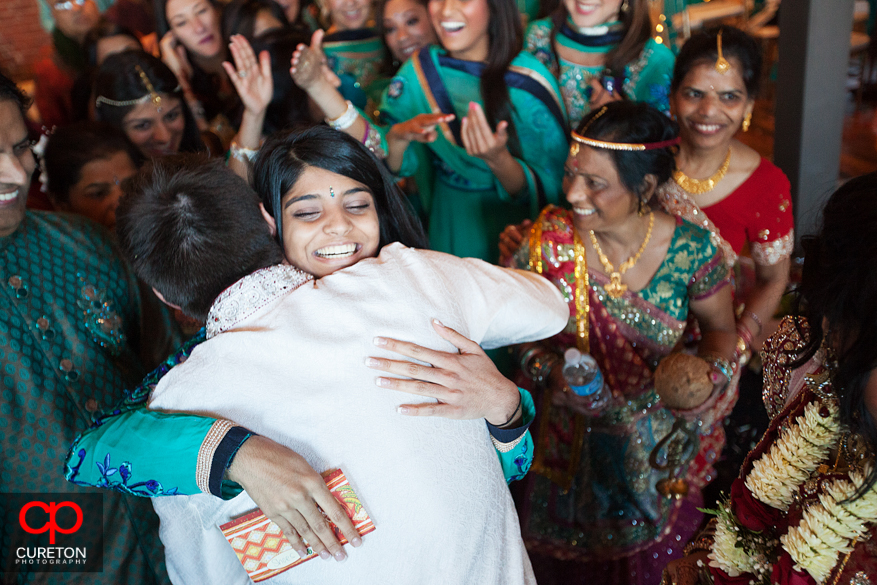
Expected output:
(245, 297)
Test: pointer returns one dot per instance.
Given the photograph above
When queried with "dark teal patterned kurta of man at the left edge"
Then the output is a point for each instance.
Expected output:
(68, 325)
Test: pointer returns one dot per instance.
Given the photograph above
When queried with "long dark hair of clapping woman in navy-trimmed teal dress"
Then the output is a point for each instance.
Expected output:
(506, 41)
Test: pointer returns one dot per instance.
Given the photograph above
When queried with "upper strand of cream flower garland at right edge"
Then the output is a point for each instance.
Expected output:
(776, 477)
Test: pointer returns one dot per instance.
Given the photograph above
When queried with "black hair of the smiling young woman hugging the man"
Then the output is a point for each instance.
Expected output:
(284, 157)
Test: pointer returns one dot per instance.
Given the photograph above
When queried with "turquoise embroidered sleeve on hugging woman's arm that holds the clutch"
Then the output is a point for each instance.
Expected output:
(140, 452)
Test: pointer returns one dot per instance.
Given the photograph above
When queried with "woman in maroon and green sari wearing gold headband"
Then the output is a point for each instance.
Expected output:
(631, 276)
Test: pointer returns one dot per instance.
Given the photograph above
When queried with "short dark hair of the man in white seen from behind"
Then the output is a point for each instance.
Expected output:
(191, 228)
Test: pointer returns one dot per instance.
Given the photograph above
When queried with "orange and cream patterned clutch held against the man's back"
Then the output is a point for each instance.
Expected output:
(263, 549)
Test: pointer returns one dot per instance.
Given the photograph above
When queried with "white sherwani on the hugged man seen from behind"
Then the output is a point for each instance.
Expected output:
(285, 358)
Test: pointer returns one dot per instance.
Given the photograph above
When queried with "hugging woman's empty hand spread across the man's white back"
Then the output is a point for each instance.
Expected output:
(466, 384)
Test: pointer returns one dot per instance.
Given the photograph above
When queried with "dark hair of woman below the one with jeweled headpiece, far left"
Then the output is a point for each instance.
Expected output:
(72, 147)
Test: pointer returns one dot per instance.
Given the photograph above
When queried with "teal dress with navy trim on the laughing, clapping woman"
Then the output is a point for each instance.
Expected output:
(469, 206)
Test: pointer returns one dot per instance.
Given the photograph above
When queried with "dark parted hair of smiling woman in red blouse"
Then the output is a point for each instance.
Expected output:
(703, 48)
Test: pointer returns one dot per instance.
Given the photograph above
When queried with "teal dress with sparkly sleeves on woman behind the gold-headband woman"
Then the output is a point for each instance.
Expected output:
(647, 79)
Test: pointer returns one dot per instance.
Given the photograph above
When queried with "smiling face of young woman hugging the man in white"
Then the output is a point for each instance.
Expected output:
(329, 222)
